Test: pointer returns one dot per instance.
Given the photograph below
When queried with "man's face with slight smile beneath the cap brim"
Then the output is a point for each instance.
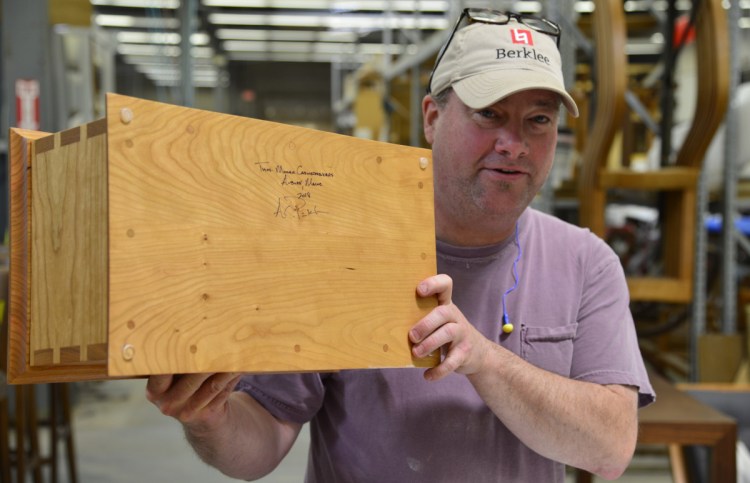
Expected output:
(490, 163)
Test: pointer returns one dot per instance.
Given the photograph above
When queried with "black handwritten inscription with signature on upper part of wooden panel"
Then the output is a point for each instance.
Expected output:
(301, 204)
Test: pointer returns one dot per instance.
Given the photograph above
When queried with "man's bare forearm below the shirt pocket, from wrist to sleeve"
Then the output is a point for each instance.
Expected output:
(585, 425)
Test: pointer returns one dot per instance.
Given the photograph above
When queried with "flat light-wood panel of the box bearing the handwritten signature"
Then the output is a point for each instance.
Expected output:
(245, 245)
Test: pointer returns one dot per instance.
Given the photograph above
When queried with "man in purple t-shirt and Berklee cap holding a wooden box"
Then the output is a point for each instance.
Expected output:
(541, 366)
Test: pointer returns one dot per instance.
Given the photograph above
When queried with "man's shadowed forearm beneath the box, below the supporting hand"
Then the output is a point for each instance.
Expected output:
(249, 443)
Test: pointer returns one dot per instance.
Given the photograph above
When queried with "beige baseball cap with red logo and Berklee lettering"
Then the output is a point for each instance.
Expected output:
(485, 63)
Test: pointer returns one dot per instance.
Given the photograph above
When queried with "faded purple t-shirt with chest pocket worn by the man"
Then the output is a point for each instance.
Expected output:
(571, 316)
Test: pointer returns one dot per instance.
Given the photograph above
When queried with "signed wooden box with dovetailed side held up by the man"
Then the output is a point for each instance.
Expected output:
(164, 239)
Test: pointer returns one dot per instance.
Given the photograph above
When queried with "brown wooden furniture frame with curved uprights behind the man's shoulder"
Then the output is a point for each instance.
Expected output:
(678, 183)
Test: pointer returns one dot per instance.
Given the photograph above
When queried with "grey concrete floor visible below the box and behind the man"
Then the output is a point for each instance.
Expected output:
(121, 438)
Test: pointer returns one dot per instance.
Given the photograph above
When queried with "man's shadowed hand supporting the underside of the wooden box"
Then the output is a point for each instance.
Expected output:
(198, 400)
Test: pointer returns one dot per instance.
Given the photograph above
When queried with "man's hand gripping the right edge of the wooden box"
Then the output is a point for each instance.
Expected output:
(464, 348)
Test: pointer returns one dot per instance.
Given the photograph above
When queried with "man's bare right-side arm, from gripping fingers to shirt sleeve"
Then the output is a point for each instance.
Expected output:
(581, 424)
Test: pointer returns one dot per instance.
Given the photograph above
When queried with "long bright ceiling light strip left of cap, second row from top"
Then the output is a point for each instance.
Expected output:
(332, 21)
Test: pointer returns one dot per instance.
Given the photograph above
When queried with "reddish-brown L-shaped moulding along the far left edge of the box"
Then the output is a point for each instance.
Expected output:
(19, 370)
